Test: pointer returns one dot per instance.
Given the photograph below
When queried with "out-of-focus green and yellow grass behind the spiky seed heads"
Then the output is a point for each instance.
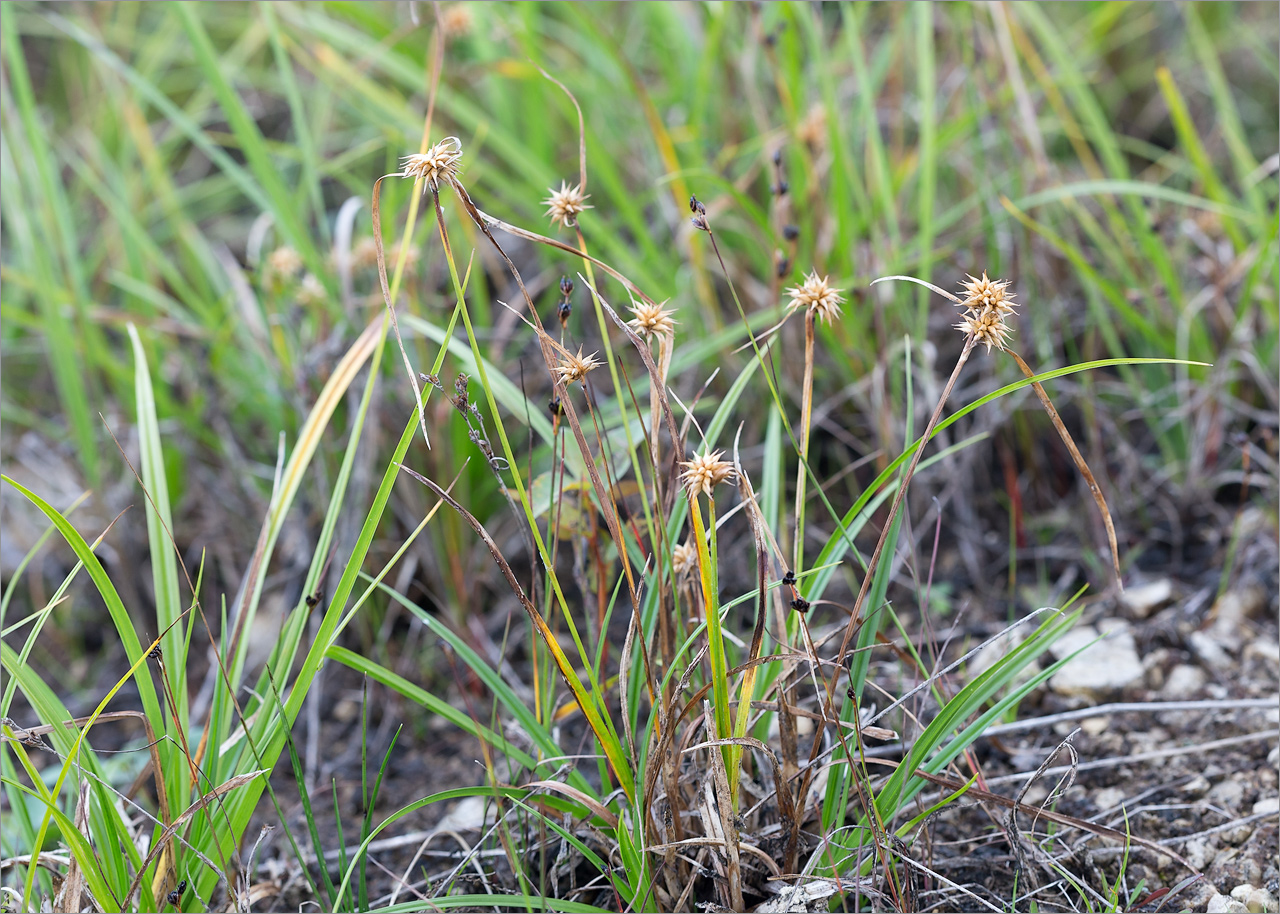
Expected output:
(204, 172)
